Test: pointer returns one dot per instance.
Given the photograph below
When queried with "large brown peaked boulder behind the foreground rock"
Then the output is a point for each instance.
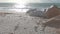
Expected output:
(52, 11)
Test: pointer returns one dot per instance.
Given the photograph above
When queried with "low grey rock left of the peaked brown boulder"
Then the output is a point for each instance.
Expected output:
(35, 12)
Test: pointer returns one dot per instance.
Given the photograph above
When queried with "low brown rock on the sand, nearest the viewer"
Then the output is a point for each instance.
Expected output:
(53, 22)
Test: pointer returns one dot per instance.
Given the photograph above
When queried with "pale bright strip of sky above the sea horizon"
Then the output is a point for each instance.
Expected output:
(32, 1)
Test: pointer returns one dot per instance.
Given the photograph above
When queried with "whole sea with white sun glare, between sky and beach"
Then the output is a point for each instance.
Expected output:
(11, 6)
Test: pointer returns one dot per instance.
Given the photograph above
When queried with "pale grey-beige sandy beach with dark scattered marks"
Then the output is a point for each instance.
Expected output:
(23, 24)
